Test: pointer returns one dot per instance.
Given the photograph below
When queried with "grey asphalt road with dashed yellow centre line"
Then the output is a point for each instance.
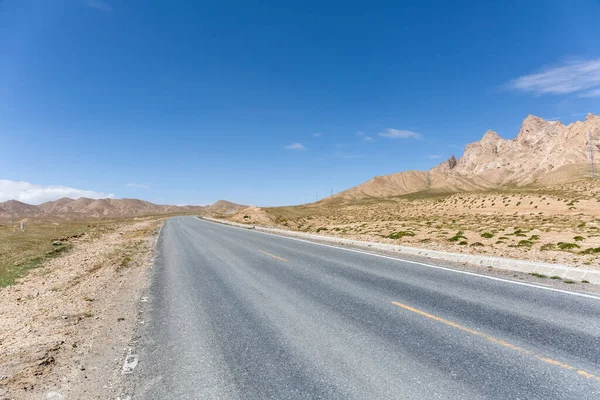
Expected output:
(239, 314)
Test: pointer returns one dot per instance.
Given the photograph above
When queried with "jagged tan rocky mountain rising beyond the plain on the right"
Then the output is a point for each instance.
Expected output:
(543, 153)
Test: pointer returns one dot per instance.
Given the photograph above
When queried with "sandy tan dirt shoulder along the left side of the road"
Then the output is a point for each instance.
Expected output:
(66, 326)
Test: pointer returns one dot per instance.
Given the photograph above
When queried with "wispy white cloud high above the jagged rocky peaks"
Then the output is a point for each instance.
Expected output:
(581, 77)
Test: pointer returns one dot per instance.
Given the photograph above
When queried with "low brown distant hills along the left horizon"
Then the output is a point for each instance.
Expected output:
(66, 208)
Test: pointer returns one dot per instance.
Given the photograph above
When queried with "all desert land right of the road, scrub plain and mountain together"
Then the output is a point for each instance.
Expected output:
(532, 198)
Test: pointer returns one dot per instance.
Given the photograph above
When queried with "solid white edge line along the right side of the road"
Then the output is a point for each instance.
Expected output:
(589, 296)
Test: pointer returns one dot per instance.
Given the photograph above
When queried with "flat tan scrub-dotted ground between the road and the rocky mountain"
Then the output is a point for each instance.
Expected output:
(560, 224)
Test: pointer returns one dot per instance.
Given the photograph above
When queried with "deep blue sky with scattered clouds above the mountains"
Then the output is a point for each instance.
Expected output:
(273, 102)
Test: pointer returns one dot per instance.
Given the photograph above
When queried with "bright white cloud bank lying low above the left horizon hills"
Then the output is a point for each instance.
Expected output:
(35, 194)
